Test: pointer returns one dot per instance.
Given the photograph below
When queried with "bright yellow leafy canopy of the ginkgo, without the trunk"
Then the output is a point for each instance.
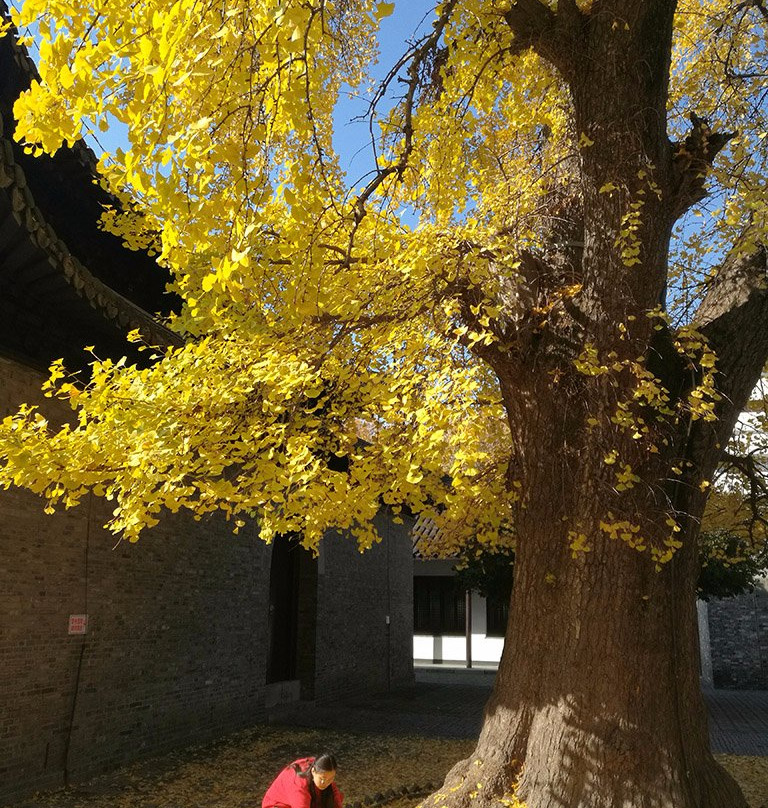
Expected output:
(316, 312)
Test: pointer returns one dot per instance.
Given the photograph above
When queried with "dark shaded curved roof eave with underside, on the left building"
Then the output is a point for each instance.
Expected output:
(64, 282)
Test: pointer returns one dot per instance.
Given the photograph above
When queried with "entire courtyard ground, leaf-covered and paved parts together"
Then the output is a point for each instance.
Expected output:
(404, 740)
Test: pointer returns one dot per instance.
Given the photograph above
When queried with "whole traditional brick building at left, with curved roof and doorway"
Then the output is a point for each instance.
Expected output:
(111, 651)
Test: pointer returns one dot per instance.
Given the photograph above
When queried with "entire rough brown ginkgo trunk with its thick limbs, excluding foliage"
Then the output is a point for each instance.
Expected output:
(597, 702)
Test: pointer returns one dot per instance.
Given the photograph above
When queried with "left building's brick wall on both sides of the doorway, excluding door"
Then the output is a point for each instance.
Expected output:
(175, 650)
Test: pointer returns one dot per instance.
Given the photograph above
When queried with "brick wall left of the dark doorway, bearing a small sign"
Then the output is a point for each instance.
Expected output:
(174, 649)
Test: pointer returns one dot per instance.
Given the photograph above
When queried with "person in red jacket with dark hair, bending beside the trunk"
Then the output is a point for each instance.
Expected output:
(305, 783)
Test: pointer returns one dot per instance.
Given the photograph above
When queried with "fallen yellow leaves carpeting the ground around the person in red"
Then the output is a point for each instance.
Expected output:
(235, 772)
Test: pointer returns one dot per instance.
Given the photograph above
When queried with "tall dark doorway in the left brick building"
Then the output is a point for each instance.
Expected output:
(283, 609)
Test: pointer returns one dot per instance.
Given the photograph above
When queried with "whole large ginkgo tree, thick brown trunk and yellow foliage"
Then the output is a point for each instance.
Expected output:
(535, 320)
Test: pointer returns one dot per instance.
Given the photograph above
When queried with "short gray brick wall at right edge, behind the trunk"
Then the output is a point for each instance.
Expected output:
(738, 629)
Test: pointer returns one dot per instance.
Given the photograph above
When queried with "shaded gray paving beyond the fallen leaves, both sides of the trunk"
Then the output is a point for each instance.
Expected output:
(449, 704)
